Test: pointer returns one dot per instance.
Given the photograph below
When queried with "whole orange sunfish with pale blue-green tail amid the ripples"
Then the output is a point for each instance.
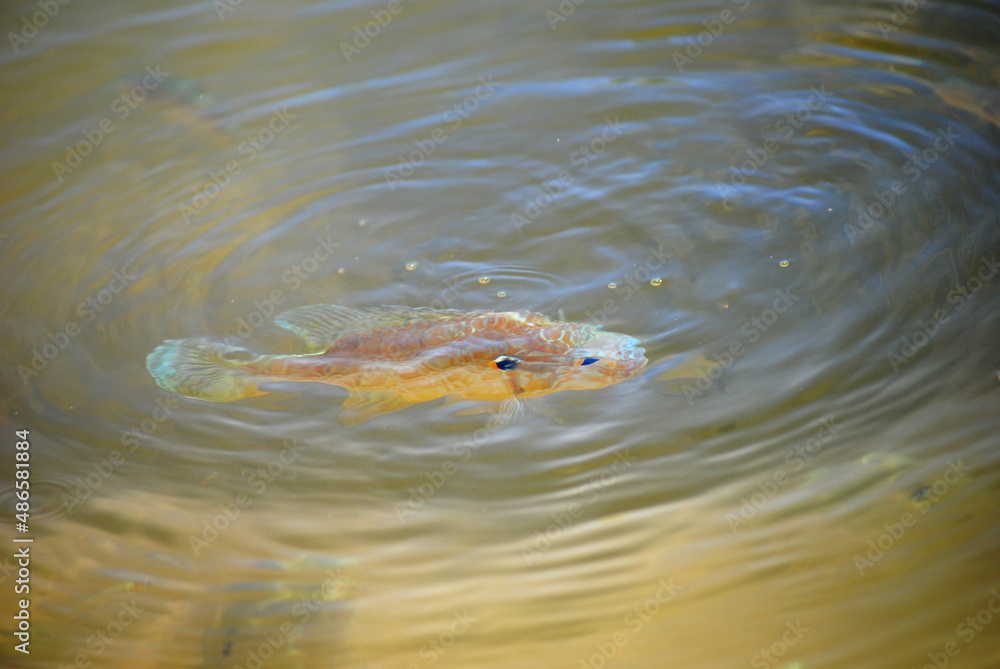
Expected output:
(391, 357)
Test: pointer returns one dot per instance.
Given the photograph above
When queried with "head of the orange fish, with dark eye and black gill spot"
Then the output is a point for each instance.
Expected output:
(584, 360)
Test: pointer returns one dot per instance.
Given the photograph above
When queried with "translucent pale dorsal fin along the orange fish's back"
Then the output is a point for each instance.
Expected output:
(320, 325)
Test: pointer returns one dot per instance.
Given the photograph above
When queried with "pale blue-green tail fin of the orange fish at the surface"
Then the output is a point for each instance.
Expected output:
(204, 369)
